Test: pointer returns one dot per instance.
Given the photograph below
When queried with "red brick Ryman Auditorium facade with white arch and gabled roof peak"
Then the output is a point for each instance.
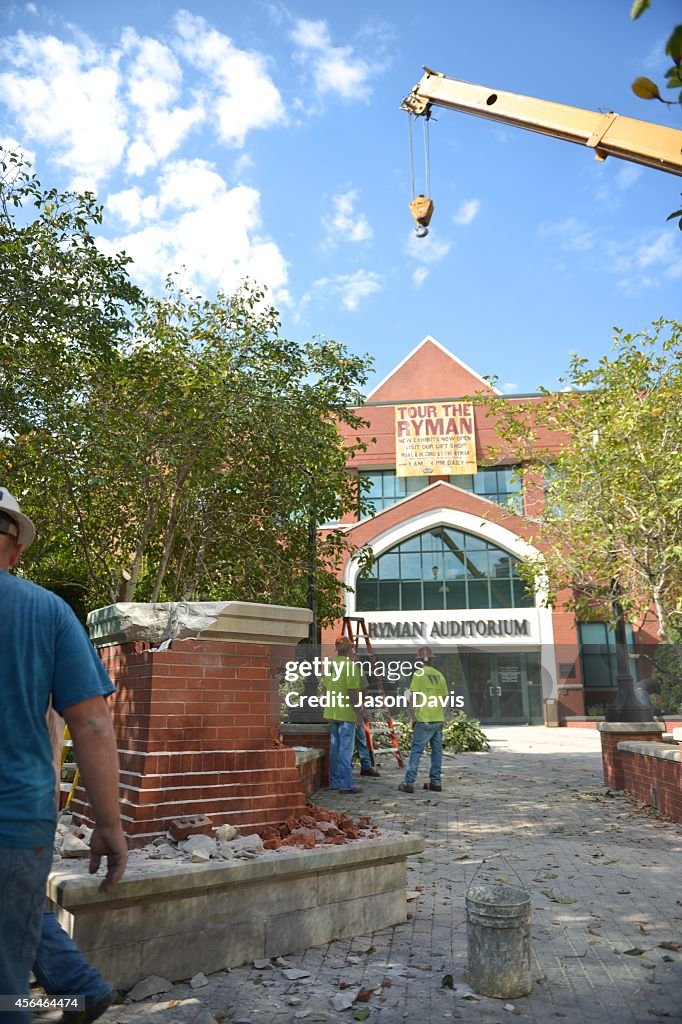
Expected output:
(447, 551)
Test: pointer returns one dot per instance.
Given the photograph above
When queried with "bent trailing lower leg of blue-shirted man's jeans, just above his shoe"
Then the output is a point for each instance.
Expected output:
(61, 967)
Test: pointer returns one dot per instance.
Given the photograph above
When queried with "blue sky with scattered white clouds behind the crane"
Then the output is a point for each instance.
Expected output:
(266, 140)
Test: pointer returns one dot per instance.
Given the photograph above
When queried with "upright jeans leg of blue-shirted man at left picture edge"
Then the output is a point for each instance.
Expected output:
(23, 879)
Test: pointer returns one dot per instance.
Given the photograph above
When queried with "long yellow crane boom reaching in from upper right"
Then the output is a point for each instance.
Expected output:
(608, 135)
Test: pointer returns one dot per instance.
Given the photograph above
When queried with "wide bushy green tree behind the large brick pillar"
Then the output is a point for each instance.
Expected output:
(192, 461)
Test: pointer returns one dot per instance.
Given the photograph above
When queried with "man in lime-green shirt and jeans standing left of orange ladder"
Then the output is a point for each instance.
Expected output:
(344, 684)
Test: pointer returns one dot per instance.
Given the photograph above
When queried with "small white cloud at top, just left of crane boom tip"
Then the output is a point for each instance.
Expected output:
(335, 69)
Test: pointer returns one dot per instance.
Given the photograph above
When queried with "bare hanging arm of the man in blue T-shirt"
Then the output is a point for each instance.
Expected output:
(95, 748)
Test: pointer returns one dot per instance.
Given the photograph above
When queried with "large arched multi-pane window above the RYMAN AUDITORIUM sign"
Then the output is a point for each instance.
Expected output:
(444, 569)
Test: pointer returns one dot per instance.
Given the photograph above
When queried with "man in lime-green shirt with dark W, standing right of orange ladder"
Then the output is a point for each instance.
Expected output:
(431, 697)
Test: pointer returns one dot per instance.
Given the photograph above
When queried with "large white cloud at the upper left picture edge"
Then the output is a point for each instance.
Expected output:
(66, 97)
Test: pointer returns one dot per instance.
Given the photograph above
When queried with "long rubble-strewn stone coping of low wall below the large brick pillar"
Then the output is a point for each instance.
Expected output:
(70, 889)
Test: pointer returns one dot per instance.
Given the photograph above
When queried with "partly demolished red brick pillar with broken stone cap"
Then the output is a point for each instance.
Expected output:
(197, 719)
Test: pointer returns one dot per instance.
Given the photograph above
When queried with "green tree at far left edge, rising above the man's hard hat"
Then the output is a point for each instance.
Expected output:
(63, 303)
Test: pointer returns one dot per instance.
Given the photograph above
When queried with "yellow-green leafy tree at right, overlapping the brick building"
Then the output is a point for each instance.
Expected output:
(611, 451)
